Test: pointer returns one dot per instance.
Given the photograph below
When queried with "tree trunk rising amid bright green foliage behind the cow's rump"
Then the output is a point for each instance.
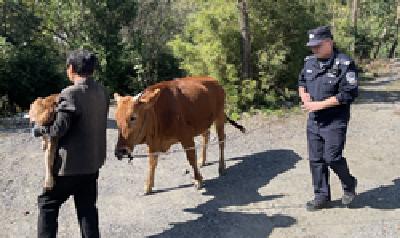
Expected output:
(245, 35)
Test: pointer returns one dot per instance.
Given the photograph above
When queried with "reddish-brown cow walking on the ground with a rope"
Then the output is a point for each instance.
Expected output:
(171, 112)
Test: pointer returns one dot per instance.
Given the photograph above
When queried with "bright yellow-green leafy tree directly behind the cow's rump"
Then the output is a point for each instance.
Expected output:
(209, 45)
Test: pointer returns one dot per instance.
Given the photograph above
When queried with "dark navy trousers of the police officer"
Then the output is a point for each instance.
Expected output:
(325, 148)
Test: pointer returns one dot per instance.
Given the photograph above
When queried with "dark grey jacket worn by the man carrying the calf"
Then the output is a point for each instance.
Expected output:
(80, 125)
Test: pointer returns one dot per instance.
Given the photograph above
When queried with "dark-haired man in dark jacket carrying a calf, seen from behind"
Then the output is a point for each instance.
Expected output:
(80, 127)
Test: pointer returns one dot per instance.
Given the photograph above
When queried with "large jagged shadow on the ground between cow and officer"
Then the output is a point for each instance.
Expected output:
(222, 216)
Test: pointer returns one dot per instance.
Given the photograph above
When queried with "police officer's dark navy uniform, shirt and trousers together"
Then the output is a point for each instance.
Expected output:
(326, 129)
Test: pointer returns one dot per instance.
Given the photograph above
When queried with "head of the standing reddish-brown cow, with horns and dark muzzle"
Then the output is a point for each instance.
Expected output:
(131, 117)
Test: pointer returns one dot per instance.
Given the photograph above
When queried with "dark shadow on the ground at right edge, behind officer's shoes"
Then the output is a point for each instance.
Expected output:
(384, 197)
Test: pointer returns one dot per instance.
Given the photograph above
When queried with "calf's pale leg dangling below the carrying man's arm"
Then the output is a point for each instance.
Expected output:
(49, 161)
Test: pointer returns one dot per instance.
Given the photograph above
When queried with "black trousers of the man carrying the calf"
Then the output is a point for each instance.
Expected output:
(84, 190)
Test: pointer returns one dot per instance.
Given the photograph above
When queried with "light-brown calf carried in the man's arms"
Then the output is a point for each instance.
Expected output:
(42, 112)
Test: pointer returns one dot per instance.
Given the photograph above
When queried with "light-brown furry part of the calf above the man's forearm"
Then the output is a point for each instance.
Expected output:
(42, 111)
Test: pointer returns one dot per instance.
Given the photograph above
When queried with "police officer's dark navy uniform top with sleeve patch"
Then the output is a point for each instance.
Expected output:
(337, 77)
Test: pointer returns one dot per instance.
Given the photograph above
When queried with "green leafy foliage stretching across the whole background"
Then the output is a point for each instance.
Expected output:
(141, 42)
